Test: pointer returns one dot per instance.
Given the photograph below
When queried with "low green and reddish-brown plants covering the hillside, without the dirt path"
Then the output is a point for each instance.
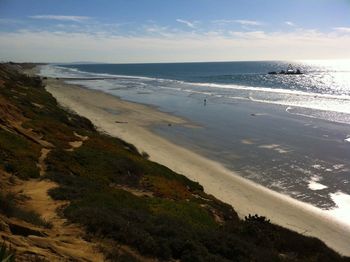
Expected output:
(118, 195)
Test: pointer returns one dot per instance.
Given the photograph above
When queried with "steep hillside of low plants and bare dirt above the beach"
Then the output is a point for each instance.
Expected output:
(69, 192)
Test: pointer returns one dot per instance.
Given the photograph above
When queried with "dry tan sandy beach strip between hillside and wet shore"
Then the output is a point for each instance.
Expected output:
(131, 122)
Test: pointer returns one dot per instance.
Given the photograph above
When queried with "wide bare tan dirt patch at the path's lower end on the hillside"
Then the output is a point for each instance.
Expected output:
(63, 240)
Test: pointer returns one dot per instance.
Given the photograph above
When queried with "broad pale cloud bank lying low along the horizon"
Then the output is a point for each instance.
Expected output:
(48, 46)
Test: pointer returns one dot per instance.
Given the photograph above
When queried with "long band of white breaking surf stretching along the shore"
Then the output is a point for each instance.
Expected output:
(289, 98)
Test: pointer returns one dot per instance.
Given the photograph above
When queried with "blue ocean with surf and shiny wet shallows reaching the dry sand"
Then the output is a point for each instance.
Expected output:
(290, 133)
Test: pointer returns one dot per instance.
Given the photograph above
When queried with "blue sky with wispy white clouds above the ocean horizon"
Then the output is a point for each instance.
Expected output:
(141, 31)
